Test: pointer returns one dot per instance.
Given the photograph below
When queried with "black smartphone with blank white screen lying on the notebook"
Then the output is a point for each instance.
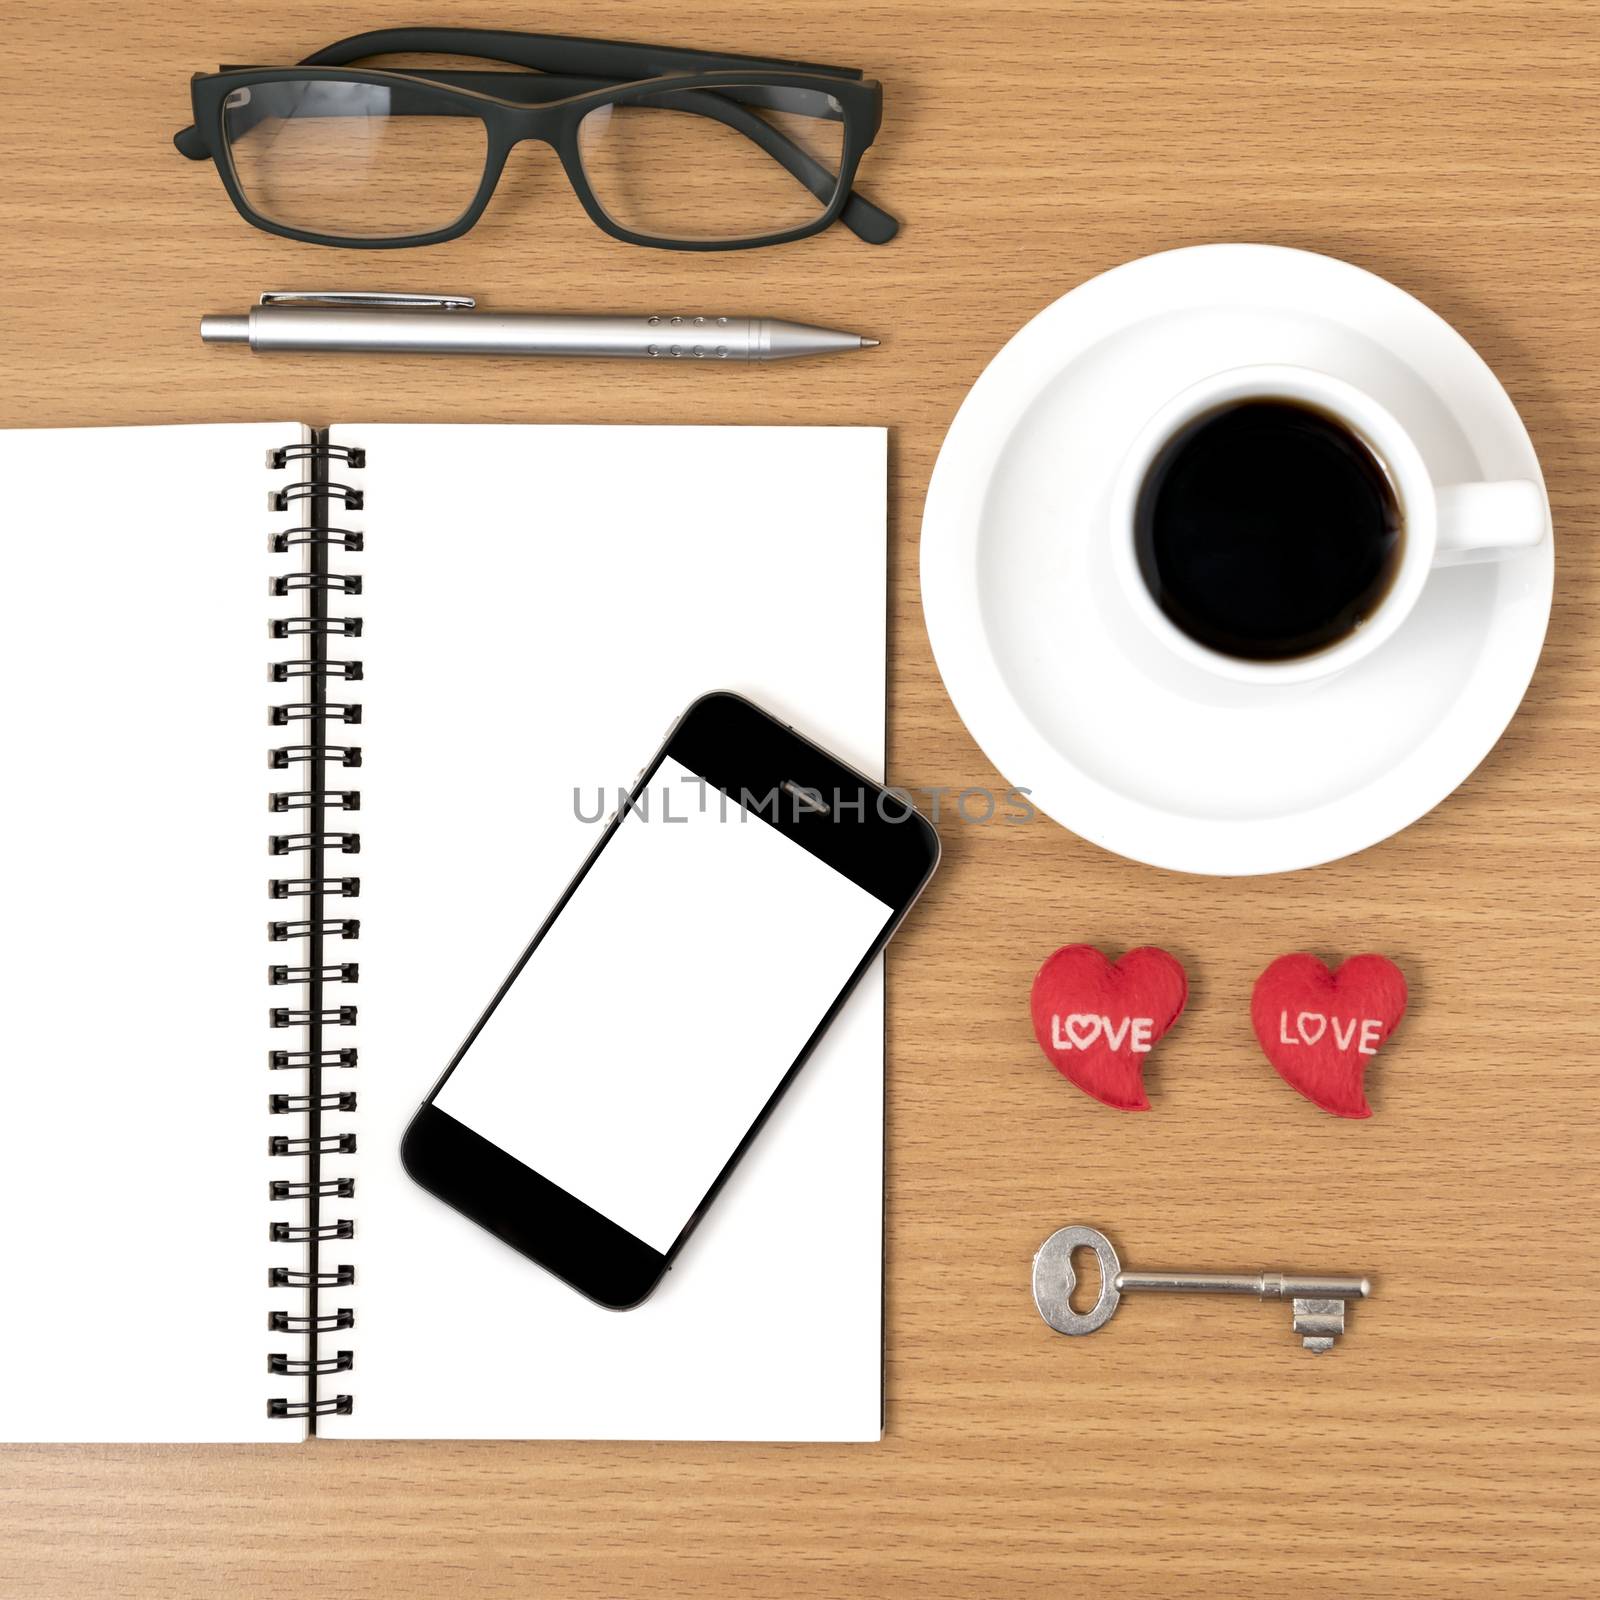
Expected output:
(670, 999)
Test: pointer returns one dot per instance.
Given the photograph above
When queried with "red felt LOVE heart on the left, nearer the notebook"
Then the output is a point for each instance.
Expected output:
(1097, 1022)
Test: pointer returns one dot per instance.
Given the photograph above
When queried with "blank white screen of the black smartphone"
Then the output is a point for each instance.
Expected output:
(665, 1006)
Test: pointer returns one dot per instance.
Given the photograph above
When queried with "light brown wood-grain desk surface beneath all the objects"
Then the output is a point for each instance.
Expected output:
(1450, 1446)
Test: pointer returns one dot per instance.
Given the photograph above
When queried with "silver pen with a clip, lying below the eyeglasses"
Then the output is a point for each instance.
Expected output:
(452, 326)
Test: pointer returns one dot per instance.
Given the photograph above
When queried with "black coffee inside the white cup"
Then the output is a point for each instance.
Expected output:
(1268, 530)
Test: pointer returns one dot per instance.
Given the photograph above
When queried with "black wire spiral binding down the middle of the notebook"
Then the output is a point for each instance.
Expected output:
(314, 884)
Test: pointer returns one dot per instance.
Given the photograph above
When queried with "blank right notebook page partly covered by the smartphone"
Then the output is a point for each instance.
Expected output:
(540, 604)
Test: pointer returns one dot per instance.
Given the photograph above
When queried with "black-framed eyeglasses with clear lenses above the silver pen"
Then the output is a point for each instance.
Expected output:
(668, 148)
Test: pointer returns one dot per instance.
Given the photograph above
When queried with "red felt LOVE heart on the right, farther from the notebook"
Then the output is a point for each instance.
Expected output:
(1321, 1030)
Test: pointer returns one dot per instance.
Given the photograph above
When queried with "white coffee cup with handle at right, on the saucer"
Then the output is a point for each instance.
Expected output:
(1444, 526)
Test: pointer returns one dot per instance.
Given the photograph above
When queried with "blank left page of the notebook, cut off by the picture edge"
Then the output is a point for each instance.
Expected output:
(134, 1174)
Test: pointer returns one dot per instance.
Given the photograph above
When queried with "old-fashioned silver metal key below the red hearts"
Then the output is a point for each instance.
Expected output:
(1319, 1302)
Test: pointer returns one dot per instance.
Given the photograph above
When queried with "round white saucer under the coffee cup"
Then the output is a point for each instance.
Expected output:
(1058, 687)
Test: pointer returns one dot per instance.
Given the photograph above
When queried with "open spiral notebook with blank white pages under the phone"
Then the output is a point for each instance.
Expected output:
(308, 734)
